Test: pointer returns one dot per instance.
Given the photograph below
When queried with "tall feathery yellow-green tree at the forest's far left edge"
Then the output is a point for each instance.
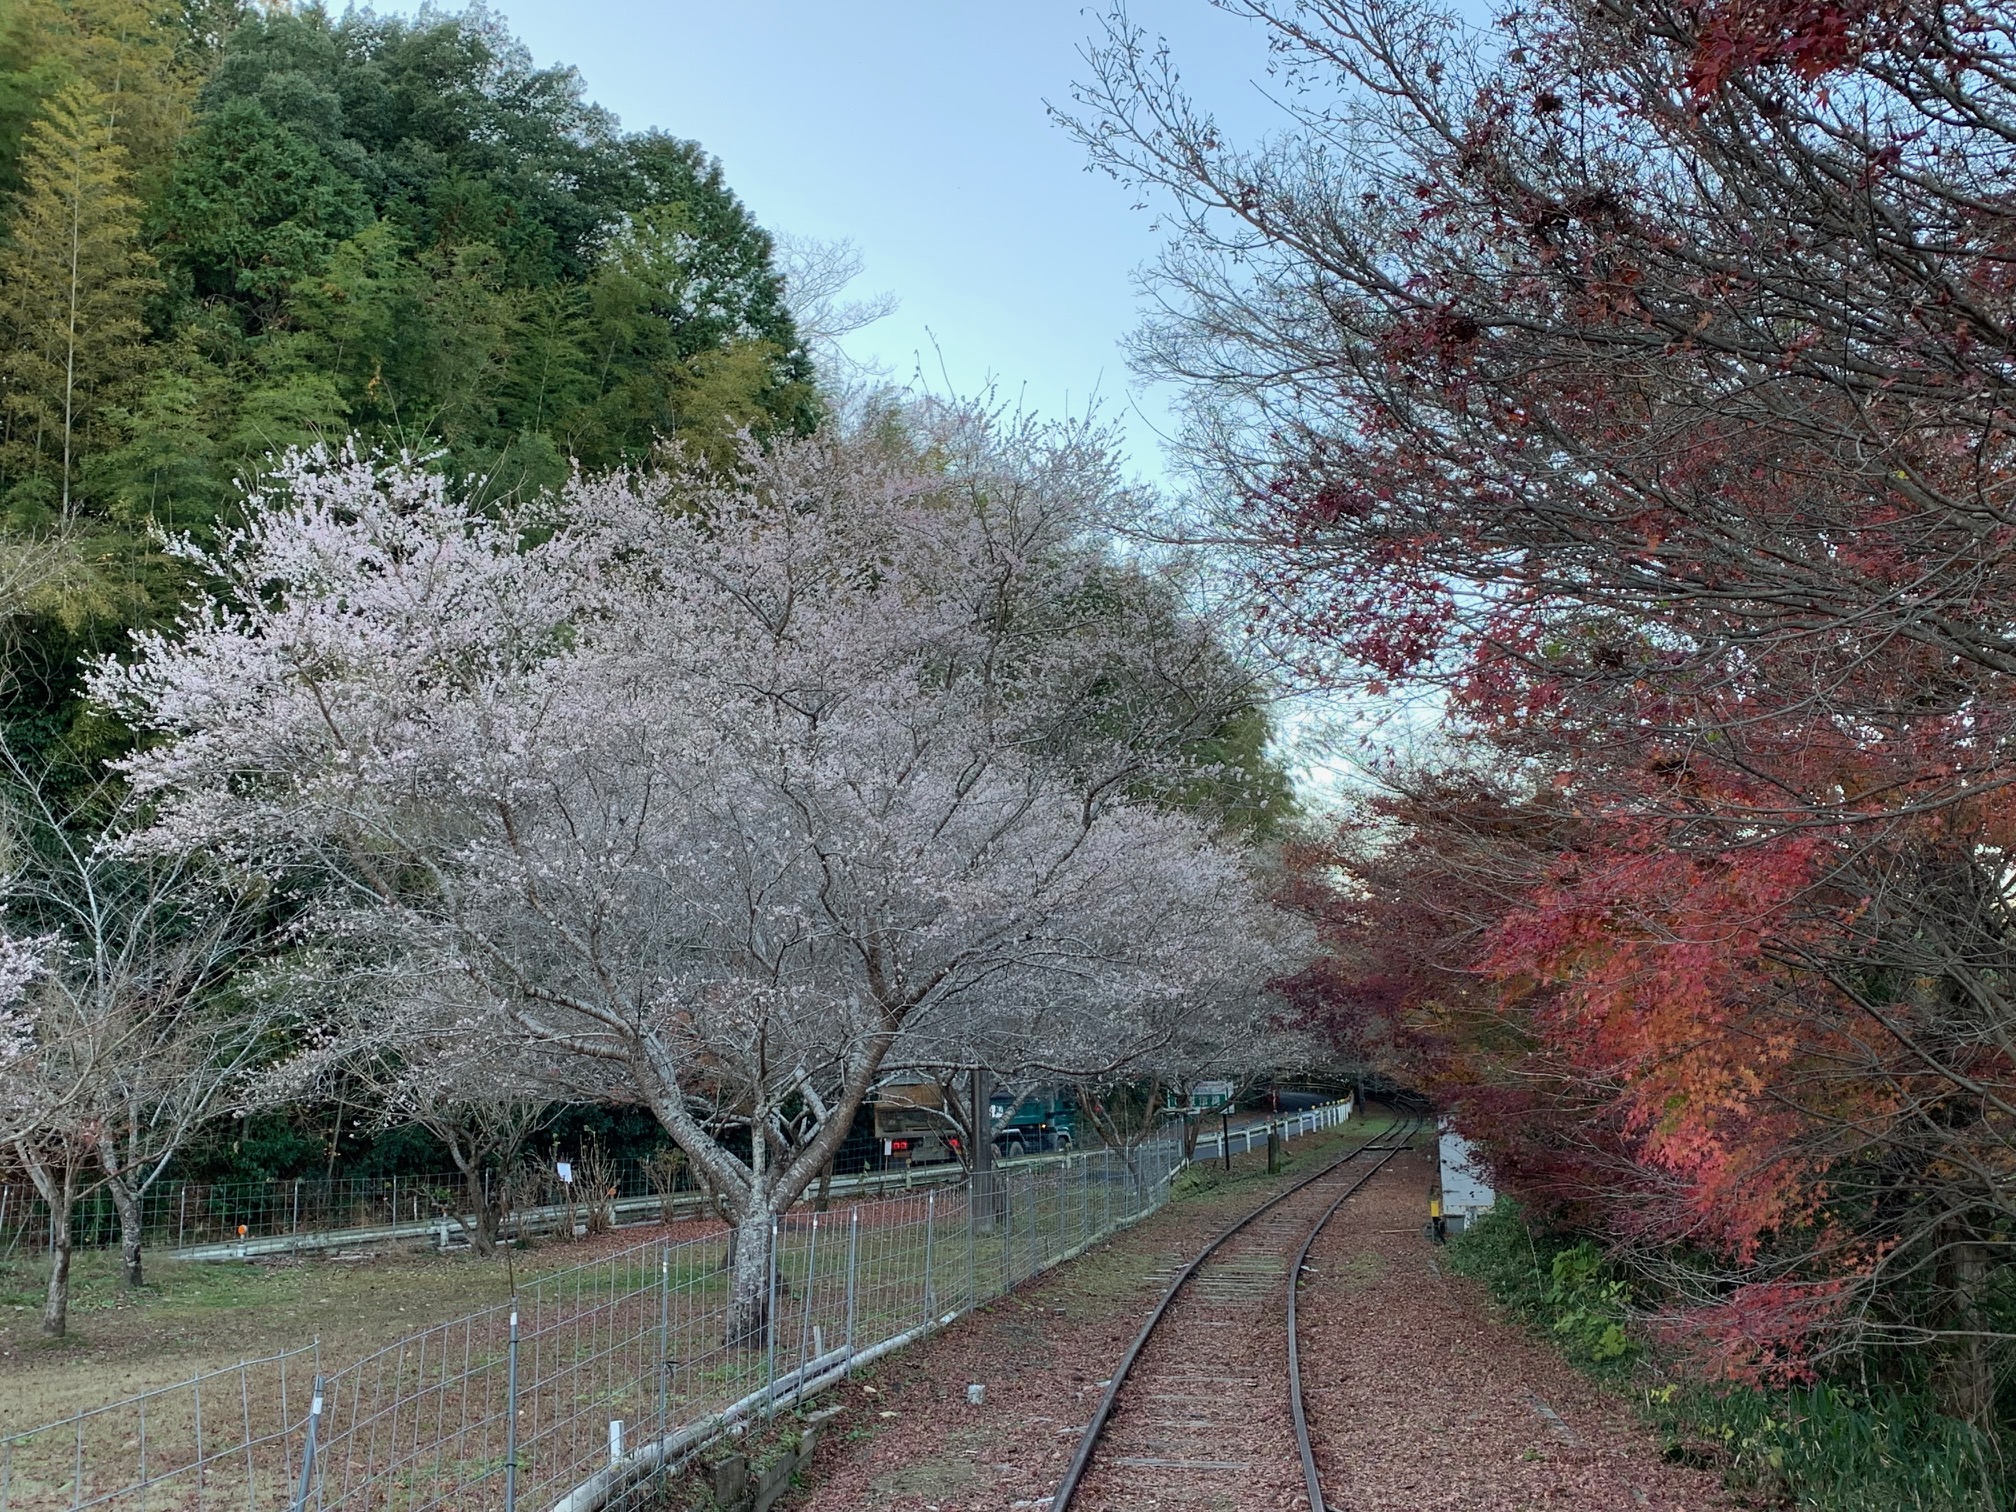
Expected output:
(76, 279)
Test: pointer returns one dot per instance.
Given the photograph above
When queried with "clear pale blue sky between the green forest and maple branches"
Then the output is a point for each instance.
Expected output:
(918, 130)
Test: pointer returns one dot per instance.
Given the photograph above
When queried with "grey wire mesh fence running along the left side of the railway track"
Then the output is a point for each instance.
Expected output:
(596, 1378)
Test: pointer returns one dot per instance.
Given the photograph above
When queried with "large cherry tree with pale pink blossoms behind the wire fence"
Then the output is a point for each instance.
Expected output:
(719, 787)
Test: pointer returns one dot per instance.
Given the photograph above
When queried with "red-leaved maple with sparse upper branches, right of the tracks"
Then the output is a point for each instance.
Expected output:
(1642, 380)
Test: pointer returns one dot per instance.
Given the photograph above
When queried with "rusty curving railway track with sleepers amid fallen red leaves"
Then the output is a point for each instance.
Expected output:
(1180, 1412)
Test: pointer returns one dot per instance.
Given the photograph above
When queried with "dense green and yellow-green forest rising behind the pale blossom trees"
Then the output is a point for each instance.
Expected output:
(235, 231)
